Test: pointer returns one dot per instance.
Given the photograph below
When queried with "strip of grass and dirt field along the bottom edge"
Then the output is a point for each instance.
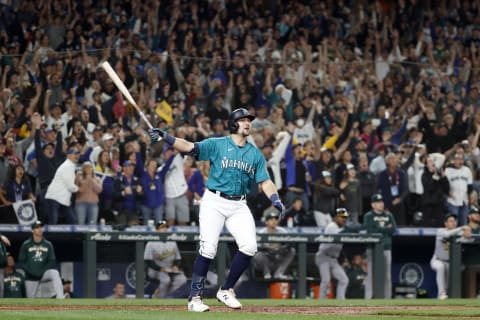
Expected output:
(175, 309)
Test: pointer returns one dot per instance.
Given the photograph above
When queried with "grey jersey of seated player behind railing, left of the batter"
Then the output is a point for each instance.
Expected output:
(162, 253)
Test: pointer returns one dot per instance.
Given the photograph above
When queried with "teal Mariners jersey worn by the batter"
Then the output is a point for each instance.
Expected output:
(232, 168)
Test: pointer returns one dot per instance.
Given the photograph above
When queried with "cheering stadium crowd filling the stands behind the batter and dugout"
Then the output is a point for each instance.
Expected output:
(351, 98)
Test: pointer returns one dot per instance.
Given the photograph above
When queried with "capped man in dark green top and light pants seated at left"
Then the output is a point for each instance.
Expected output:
(38, 259)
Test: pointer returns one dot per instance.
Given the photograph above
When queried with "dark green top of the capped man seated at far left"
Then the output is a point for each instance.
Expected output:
(36, 258)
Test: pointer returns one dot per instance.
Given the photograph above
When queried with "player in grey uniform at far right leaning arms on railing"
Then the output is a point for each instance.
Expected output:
(441, 256)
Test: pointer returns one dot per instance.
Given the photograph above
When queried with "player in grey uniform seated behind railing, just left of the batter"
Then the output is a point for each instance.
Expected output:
(162, 259)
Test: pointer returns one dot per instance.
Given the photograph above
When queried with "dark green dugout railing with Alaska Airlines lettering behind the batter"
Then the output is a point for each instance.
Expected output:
(300, 240)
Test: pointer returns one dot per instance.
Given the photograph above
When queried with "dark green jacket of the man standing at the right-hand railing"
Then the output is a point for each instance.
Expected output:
(378, 223)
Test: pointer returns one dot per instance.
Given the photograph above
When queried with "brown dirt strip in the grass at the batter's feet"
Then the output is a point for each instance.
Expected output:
(317, 310)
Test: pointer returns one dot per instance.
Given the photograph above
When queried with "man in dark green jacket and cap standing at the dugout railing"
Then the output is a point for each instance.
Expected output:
(380, 221)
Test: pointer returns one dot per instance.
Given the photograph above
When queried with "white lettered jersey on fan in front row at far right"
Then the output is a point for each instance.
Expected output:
(459, 179)
